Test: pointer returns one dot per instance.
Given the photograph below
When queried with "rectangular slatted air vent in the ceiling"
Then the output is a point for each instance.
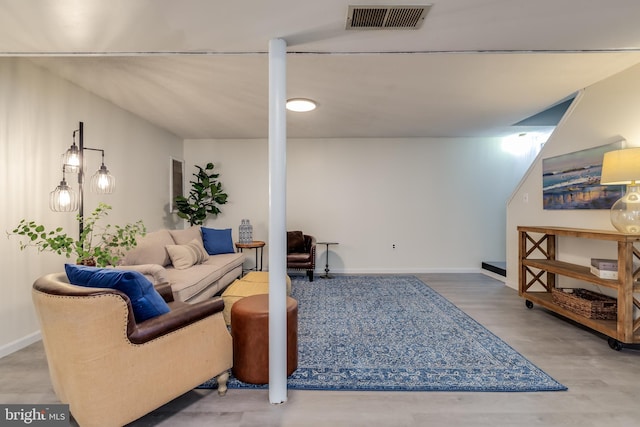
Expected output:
(386, 17)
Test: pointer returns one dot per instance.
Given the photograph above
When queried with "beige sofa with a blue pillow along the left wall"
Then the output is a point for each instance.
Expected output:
(192, 284)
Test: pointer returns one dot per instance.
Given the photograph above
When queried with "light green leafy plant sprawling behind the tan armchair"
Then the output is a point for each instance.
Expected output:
(97, 245)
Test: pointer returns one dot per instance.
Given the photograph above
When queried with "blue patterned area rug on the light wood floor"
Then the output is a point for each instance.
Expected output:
(396, 333)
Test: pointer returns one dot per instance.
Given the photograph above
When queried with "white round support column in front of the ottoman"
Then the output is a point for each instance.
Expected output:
(277, 221)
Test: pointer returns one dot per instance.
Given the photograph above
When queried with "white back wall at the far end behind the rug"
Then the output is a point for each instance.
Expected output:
(440, 201)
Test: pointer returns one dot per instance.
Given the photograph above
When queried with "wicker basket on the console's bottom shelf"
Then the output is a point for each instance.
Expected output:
(586, 303)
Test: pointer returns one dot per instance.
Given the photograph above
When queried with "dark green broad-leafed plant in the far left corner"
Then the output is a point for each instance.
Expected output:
(204, 198)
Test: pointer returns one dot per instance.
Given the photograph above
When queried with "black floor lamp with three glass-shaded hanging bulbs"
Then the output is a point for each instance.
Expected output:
(63, 198)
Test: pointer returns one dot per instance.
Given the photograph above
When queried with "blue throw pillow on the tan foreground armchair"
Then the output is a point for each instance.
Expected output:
(145, 300)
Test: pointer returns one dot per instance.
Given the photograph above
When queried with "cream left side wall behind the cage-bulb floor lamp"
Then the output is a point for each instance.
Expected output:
(38, 113)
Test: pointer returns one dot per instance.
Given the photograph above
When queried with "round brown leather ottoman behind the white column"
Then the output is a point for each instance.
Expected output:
(250, 332)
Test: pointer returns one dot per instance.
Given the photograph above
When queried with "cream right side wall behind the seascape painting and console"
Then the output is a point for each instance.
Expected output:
(603, 113)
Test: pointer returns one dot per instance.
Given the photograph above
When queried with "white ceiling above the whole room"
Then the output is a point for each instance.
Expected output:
(199, 68)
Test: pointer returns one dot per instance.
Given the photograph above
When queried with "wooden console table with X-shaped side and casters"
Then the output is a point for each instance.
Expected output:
(538, 265)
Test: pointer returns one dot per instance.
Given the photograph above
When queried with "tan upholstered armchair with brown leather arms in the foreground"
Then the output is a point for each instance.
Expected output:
(112, 370)
